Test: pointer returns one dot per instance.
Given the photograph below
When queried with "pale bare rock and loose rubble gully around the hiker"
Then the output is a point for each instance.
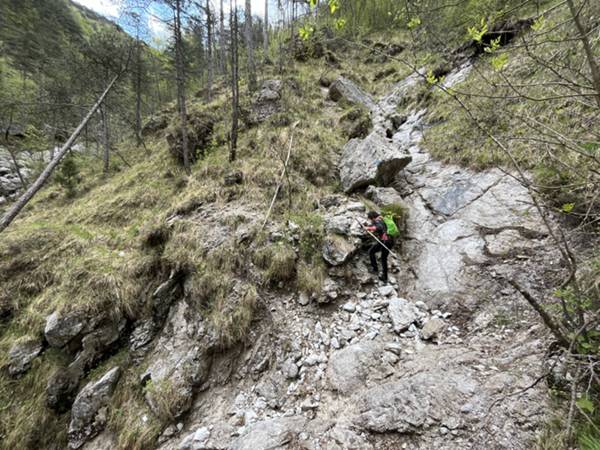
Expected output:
(445, 356)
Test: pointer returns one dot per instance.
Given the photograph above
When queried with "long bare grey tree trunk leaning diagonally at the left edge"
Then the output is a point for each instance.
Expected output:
(28, 195)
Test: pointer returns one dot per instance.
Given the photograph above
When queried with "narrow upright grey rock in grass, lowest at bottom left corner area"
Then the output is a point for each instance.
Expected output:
(89, 415)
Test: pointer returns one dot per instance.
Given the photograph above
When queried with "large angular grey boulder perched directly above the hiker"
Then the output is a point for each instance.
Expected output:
(372, 160)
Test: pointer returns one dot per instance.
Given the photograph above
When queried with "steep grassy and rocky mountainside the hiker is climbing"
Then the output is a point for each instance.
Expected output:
(233, 308)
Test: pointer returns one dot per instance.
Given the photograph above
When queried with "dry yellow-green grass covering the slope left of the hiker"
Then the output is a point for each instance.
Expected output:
(89, 253)
